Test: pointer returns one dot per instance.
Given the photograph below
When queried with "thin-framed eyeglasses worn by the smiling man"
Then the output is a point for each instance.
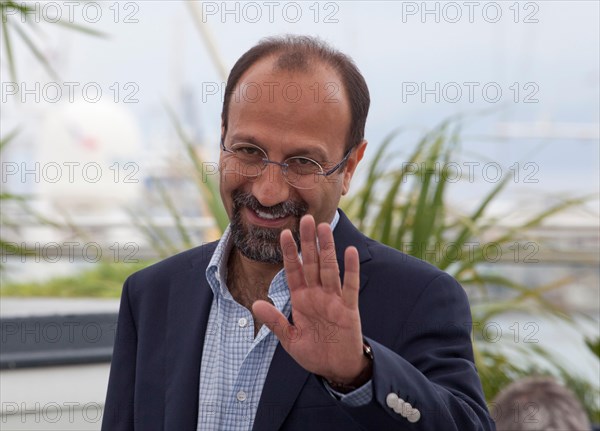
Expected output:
(298, 171)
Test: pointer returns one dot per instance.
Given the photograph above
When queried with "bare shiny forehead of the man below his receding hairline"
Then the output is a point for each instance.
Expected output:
(303, 105)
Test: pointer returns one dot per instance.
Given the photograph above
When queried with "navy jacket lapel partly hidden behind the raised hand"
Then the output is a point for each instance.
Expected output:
(286, 378)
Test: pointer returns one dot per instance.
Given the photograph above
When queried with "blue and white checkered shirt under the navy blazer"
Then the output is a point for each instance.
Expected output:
(234, 362)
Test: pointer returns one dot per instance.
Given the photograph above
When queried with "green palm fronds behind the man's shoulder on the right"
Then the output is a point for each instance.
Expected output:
(405, 208)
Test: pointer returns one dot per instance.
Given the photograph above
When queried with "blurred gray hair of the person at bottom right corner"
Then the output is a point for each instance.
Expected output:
(538, 403)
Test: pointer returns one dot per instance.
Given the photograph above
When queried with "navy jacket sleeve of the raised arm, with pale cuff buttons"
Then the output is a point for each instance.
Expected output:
(430, 367)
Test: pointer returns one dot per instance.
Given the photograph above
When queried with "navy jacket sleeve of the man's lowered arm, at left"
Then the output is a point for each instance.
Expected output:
(118, 408)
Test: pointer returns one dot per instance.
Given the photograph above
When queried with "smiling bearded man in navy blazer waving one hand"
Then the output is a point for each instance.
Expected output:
(294, 320)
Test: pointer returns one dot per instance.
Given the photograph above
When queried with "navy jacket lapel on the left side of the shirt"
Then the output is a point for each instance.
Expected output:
(190, 298)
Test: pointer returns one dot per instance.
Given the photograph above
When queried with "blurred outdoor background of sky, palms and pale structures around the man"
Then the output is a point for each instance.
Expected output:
(483, 159)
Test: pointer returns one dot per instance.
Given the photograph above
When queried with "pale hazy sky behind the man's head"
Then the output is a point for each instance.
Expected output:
(525, 75)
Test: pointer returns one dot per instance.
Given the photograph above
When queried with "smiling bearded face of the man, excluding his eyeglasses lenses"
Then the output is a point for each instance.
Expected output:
(286, 114)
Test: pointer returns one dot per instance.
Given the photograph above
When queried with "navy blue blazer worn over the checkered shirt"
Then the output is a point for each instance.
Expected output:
(415, 317)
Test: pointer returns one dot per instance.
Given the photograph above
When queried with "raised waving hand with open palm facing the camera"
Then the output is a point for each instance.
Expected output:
(326, 337)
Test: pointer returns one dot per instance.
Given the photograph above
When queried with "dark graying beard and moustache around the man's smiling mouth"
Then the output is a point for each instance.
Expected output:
(259, 243)
